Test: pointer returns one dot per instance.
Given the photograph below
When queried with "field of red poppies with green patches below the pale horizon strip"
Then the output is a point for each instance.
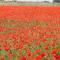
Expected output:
(29, 33)
